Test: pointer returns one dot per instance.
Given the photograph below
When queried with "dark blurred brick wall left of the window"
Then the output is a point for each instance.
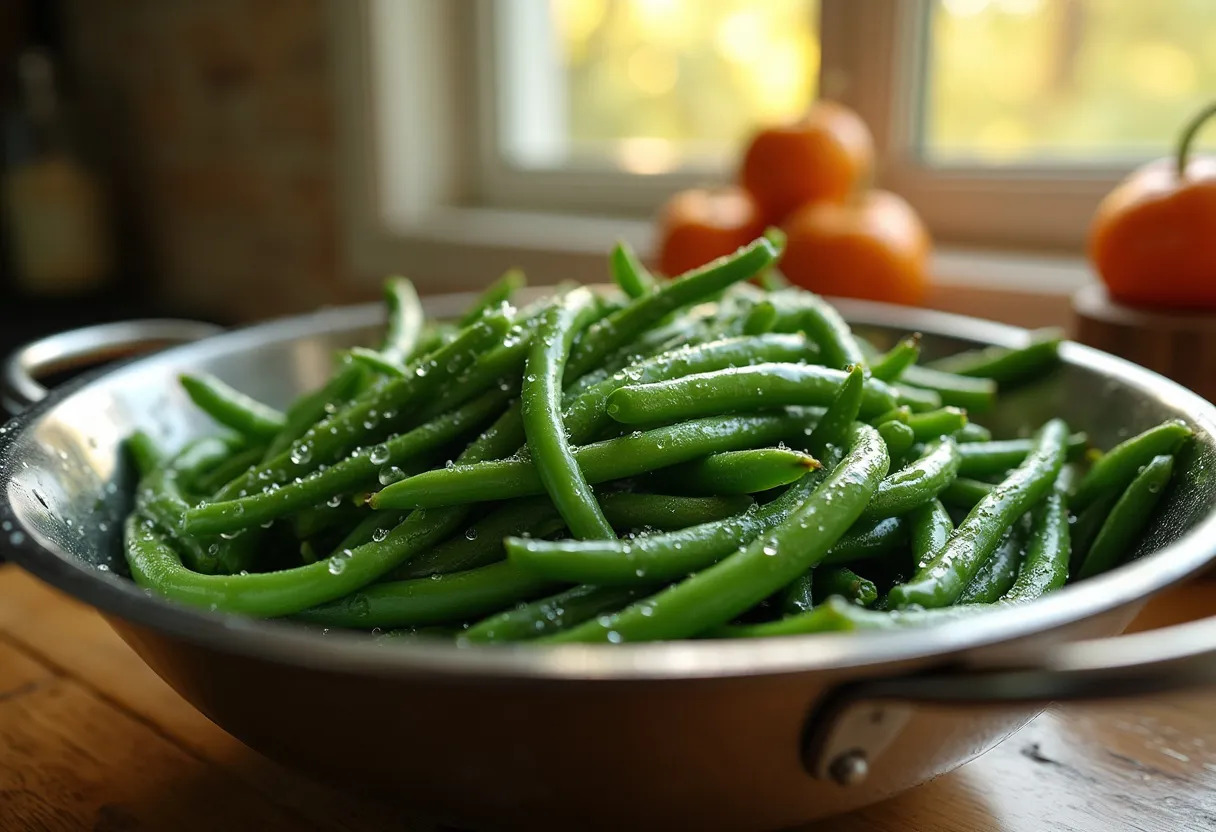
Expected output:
(219, 121)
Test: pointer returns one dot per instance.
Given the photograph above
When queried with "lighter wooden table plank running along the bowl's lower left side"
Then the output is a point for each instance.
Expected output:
(72, 638)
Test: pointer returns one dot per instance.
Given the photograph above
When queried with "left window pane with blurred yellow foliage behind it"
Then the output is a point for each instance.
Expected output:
(650, 86)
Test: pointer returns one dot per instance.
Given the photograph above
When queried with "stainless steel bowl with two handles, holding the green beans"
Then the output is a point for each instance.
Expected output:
(746, 735)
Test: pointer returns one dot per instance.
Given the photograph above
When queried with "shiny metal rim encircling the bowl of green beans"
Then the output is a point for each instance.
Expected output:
(289, 644)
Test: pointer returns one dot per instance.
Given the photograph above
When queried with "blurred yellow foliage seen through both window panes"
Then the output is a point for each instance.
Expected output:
(656, 85)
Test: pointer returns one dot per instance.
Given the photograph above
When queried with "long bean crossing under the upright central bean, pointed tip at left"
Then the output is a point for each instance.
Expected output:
(613, 459)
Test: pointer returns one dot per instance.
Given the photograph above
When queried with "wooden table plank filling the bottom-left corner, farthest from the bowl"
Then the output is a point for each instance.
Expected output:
(71, 761)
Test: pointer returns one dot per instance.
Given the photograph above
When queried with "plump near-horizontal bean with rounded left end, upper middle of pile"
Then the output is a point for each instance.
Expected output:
(759, 387)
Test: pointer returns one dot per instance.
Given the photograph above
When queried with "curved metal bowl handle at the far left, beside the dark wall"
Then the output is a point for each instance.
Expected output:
(91, 345)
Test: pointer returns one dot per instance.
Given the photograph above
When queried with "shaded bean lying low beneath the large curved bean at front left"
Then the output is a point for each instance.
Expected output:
(436, 600)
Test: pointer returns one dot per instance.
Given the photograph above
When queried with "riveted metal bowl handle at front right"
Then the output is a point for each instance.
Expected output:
(857, 722)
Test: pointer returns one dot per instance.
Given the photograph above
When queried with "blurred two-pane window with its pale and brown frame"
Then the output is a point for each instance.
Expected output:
(541, 131)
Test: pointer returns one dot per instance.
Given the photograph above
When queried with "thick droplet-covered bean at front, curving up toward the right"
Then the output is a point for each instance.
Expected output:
(735, 584)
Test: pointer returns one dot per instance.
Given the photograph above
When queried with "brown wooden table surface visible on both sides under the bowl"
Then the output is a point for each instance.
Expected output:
(92, 739)
